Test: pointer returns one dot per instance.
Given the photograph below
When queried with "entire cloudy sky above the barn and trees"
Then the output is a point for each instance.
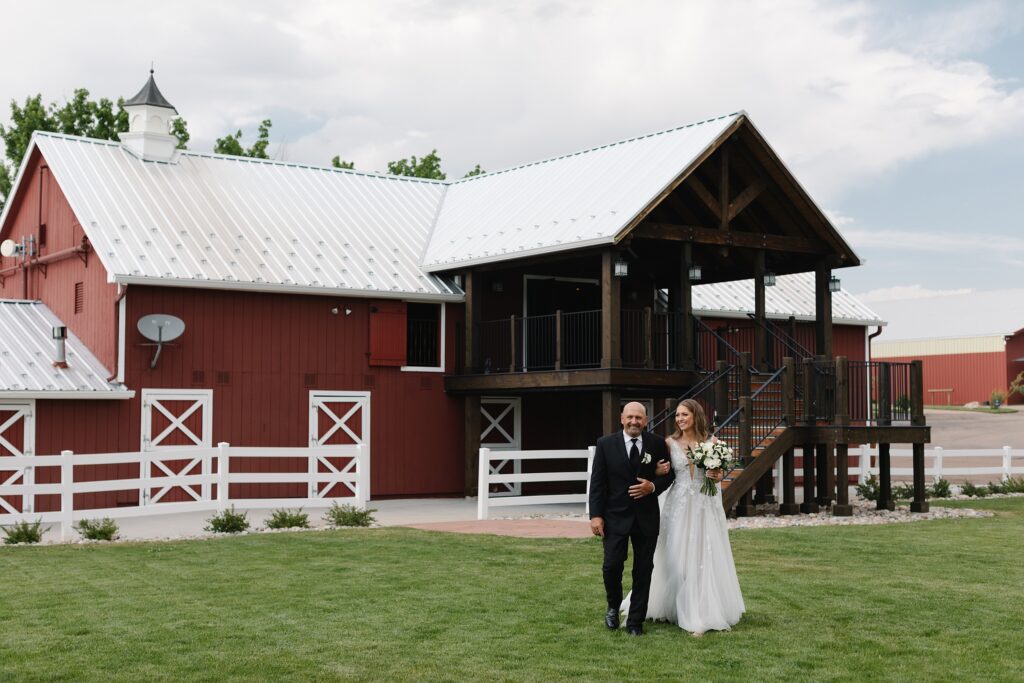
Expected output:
(905, 119)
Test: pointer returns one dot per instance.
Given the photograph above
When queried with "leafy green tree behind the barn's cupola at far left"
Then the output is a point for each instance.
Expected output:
(78, 116)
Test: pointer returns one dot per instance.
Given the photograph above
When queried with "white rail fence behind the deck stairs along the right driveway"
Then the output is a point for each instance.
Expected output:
(934, 461)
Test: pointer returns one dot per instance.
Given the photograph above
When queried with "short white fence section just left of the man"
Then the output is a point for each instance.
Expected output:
(489, 475)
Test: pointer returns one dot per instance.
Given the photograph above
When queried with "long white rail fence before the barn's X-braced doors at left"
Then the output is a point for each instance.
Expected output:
(350, 482)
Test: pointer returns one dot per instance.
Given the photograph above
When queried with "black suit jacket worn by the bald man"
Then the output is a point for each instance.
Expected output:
(612, 478)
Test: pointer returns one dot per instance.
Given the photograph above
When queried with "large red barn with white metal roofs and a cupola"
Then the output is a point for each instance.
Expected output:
(421, 318)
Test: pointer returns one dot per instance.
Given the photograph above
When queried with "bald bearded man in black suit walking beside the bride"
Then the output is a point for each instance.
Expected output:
(624, 492)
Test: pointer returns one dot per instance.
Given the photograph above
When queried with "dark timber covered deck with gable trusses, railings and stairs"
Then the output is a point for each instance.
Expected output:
(577, 332)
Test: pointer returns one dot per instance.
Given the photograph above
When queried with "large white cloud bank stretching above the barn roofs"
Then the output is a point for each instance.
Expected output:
(501, 83)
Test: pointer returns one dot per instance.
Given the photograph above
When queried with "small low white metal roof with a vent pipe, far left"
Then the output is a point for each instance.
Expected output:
(27, 354)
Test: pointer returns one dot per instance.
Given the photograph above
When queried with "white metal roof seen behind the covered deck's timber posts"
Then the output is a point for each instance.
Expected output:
(792, 296)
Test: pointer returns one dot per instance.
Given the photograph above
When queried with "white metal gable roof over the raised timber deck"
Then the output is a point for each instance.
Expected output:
(570, 202)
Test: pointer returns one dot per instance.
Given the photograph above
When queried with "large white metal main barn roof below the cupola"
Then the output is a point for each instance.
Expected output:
(231, 223)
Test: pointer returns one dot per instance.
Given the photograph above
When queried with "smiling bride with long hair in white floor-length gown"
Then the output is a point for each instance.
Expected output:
(695, 582)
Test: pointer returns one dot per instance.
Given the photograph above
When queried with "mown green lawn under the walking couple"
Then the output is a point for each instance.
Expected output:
(927, 602)
